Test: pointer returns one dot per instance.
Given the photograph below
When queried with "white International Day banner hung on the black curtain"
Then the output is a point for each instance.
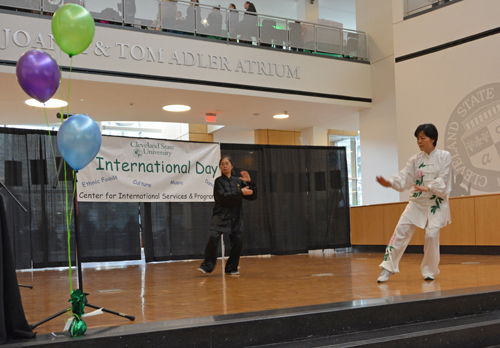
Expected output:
(150, 170)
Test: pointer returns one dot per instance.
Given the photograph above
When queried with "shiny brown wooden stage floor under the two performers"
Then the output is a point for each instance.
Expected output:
(176, 290)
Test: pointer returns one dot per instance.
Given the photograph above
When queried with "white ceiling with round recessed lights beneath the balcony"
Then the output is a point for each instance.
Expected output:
(113, 101)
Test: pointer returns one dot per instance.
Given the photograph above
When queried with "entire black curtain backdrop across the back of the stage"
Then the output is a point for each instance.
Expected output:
(302, 205)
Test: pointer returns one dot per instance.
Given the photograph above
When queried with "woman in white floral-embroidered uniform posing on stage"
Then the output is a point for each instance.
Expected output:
(428, 174)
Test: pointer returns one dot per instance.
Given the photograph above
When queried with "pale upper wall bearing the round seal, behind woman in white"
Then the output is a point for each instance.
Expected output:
(457, 89)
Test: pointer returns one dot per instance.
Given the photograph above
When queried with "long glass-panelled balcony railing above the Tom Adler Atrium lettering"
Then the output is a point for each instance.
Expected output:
(183, 17)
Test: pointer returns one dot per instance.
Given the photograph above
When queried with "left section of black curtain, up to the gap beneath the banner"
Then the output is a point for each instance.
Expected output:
(28, 167)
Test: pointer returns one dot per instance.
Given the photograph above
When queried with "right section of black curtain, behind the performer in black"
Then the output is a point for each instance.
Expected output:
(302, 205)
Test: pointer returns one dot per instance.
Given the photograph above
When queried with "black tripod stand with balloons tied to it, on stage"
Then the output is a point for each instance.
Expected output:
(79, 267)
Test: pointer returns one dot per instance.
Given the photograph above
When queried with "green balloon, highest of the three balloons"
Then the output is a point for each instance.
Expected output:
(73, 29)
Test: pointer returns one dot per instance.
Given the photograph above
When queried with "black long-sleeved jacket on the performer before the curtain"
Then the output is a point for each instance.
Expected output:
(227, 214)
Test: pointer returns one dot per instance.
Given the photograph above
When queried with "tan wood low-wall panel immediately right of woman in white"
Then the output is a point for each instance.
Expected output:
(462, 230)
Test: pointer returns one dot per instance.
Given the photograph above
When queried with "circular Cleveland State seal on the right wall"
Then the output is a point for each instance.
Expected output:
(473, 138)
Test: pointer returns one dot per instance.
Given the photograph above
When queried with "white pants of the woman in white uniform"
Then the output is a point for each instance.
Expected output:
(398, 243)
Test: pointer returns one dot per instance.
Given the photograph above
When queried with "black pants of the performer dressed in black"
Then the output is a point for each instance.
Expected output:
(211, 252)
